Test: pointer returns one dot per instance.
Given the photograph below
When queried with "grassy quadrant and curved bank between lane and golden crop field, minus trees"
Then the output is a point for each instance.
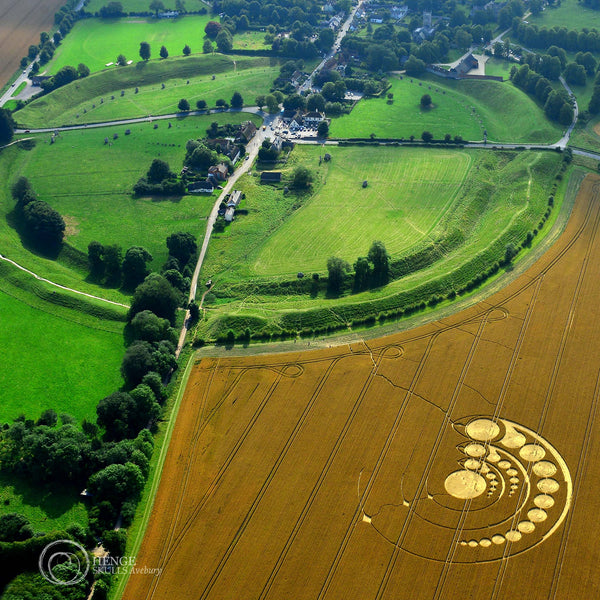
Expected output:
(478, 202)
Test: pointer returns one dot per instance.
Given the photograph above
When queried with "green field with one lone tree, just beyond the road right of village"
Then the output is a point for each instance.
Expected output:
(466, 108)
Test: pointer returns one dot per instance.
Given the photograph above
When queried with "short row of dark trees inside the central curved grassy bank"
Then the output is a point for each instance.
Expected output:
(370, 271)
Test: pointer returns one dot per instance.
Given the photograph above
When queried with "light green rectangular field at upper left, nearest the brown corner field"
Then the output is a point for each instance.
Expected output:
(96, 42)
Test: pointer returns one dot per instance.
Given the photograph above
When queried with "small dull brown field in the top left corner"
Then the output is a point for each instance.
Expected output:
(21, 22)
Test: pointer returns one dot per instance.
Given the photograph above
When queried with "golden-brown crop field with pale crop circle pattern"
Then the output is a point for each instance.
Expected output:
(457, 460)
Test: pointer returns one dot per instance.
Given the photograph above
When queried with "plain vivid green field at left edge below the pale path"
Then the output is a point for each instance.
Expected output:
(53, 362)
